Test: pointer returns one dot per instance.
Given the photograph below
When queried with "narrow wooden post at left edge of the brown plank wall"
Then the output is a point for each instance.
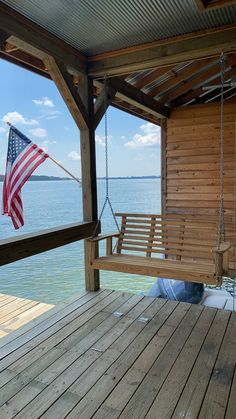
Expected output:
(163, 165)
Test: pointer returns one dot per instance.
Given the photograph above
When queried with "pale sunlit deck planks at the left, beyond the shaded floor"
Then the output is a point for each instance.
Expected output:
(15, 312)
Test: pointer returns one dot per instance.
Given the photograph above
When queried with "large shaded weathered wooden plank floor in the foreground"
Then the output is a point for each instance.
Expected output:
(116, 355)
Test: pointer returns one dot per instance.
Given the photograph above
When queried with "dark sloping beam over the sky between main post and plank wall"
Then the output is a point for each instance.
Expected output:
(134, 96)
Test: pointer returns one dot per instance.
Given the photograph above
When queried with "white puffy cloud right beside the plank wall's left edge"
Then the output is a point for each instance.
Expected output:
(149, 138)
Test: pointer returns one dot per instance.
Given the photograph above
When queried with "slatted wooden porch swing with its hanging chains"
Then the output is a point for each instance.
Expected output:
(170, 246)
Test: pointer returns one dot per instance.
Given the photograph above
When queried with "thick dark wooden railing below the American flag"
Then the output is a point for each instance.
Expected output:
(13, 249)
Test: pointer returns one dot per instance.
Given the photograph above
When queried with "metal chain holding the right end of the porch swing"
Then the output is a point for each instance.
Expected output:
(221, 223)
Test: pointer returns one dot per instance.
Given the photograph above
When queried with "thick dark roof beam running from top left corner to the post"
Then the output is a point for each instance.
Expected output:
(34, 39)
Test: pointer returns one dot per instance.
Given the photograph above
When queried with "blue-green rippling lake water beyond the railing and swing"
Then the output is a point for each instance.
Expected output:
(55, 275)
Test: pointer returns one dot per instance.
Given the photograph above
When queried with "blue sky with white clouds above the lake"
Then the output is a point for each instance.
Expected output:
(34, 105)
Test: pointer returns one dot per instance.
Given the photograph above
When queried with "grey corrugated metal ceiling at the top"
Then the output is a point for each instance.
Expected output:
(96, 26)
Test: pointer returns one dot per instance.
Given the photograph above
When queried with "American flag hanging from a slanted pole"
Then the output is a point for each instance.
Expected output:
(23, 157)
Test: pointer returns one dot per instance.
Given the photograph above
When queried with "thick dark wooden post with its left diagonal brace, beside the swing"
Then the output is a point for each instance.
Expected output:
(80, 105)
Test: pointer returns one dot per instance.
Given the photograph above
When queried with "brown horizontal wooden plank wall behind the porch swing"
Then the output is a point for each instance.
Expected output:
(193, 159)
